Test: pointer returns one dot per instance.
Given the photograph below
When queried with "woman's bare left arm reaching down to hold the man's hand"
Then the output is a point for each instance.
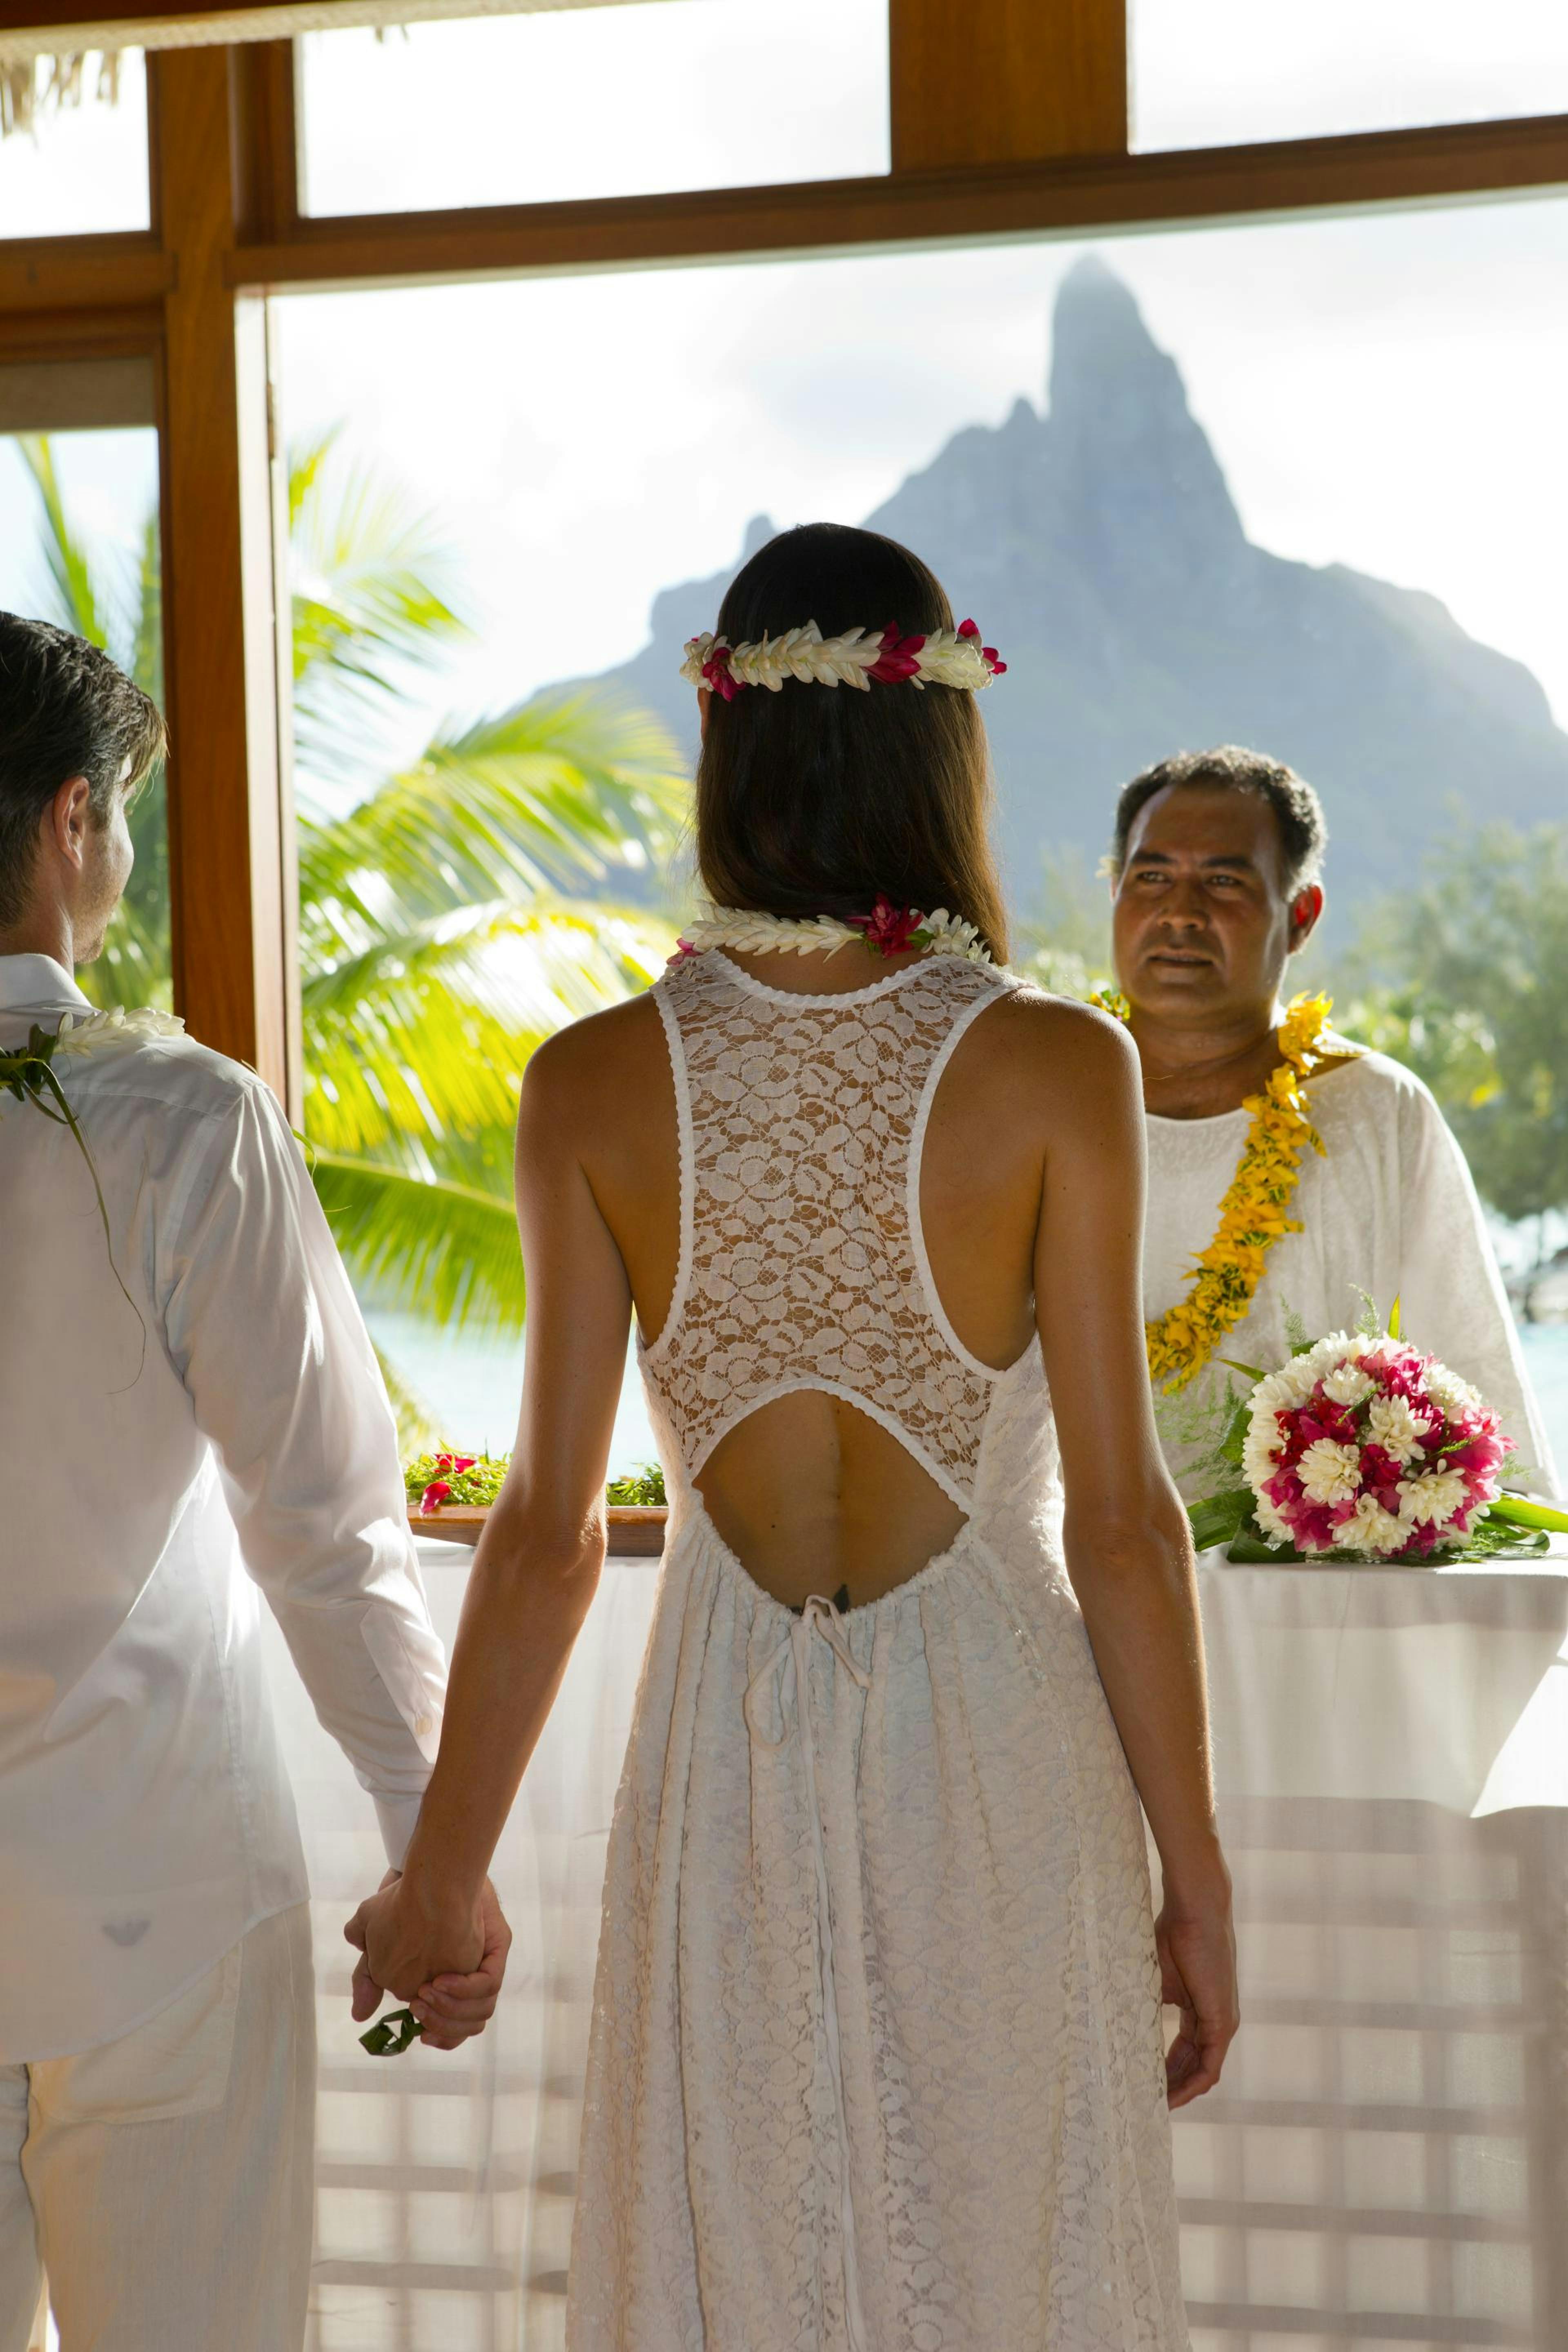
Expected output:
(542, 1551)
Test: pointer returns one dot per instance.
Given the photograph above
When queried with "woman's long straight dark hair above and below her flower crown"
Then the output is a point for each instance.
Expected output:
(815, 801)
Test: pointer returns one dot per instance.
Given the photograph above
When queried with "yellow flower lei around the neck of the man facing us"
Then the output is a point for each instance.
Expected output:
(1254, 1208)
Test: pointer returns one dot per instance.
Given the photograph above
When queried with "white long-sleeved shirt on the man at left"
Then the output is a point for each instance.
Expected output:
(145, 1810)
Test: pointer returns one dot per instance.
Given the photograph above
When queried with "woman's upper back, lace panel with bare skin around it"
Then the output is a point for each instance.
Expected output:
(864, 1191)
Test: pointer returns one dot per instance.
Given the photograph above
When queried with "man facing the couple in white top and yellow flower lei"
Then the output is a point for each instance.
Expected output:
(1292, 1172)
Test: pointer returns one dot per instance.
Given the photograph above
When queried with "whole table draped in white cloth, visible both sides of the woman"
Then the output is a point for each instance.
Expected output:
(1388, 2158)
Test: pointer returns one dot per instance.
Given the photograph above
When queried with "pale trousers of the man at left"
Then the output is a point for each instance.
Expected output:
(166, 2179)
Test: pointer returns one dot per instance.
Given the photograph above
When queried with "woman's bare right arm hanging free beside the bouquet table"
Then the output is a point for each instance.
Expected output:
(1127, 1537)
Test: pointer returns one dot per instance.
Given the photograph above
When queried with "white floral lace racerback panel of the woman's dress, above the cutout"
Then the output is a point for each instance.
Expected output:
(803, 1123)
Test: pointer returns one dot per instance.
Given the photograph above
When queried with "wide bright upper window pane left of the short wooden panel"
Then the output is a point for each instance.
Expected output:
(596, 102)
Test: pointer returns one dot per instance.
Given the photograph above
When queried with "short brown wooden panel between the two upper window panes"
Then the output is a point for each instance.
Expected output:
(1010, 81)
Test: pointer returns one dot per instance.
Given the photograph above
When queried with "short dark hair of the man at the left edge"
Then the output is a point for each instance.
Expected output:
(65, 711)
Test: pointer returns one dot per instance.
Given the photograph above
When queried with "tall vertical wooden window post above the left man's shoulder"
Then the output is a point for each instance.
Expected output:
(227, 817)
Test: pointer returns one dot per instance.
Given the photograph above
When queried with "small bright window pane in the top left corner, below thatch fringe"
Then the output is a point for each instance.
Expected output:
(81, 163)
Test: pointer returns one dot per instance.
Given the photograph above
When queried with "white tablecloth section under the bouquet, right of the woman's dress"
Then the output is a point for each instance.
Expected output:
(1388, 2156)
